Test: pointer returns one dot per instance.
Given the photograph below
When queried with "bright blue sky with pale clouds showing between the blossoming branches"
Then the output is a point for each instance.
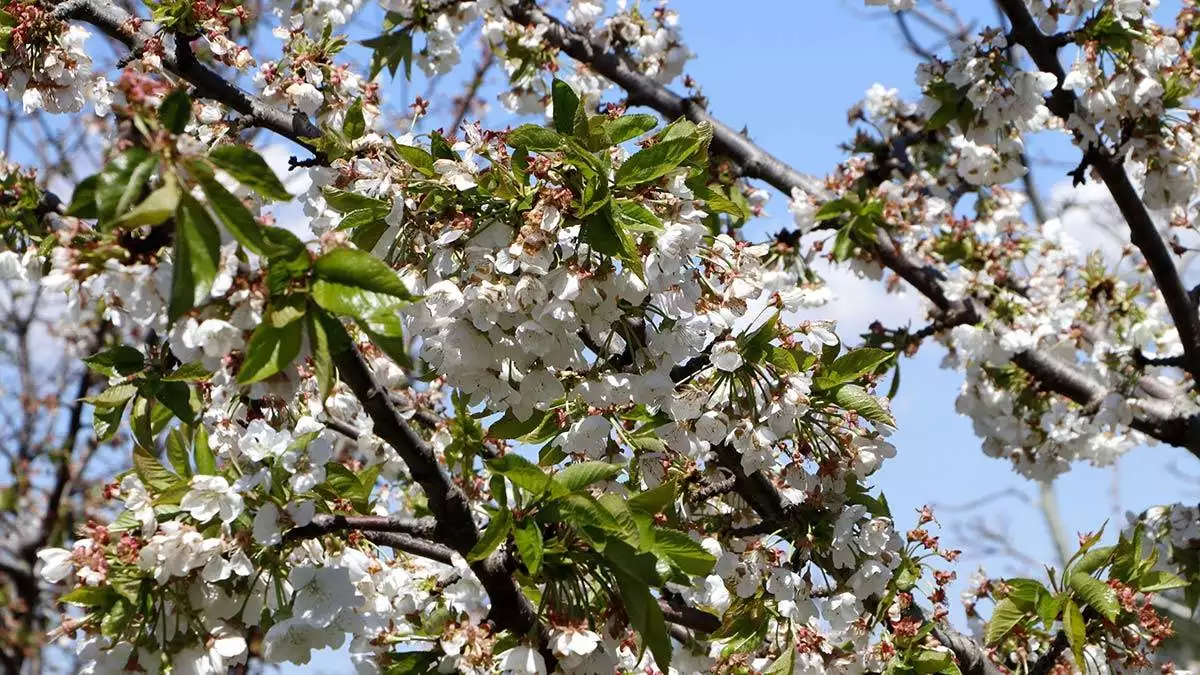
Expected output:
(788, 70)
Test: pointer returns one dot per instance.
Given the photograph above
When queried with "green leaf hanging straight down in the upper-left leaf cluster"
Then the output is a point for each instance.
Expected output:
(197, 258)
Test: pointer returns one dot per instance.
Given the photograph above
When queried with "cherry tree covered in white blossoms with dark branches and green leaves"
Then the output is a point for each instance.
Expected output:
(535, 399)
